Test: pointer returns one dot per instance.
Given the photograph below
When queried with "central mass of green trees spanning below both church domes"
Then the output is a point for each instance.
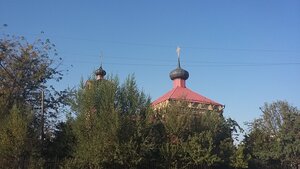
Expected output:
(115, 127)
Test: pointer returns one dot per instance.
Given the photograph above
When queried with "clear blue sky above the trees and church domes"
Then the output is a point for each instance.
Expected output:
(238, 53)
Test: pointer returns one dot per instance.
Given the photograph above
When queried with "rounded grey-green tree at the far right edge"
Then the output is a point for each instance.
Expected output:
(273, 141)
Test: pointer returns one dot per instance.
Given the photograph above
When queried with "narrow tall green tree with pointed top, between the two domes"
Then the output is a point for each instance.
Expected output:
(132, 106)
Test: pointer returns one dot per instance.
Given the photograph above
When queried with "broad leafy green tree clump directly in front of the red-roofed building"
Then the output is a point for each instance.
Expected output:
(196, 140)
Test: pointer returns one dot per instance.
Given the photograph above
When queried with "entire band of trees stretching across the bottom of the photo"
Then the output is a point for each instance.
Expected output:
(114, 126)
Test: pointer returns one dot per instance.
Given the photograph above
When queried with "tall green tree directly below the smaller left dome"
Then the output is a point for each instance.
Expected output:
(95, 127)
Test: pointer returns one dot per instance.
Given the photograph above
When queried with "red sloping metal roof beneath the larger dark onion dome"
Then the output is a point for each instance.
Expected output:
(183, 93)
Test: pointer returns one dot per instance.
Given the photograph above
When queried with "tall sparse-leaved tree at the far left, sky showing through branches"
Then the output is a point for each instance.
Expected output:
(25, 72)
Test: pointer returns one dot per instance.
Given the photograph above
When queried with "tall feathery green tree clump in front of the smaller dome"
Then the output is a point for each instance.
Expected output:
(109, 127)
